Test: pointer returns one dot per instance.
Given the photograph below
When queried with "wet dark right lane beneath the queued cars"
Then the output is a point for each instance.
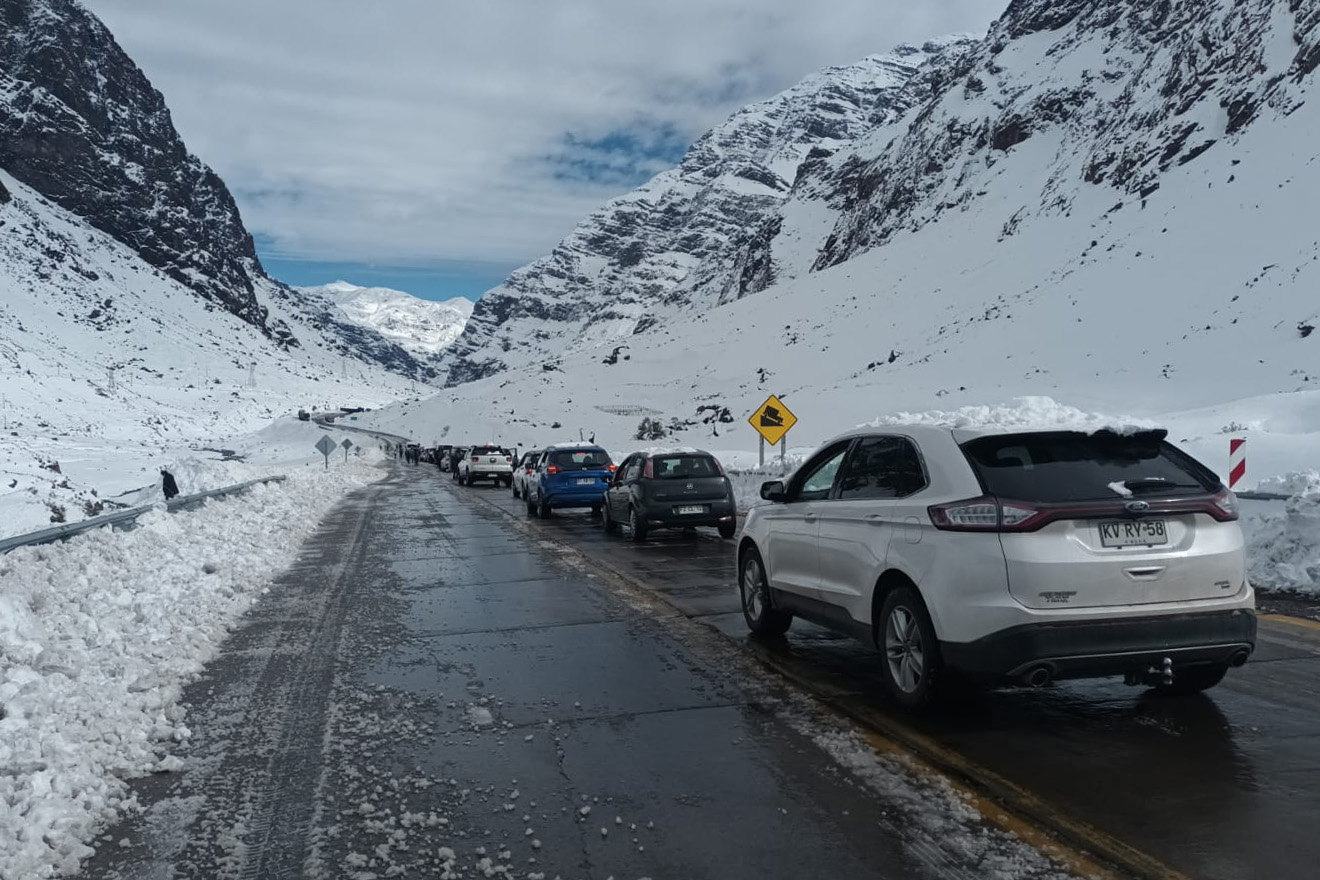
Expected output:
(1223, 786)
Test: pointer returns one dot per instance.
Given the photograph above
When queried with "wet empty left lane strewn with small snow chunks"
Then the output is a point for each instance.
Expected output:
(439, 691)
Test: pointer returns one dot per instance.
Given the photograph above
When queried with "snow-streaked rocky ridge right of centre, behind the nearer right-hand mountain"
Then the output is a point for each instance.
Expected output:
(680, 243)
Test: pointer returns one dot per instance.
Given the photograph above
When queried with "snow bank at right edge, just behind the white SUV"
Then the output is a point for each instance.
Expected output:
(1284, 551)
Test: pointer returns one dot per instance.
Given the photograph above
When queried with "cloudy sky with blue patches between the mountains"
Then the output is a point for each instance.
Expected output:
(435, 147)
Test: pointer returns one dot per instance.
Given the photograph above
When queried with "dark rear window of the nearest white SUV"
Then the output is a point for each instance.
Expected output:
(1069, 466)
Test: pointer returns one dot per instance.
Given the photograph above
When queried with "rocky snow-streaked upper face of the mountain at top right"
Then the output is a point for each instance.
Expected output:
(1103, 94)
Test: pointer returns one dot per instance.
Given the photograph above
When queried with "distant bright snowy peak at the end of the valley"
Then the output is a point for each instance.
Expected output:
(420, 327)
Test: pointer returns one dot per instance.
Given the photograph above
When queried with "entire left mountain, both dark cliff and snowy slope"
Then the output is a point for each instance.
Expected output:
(137, 323)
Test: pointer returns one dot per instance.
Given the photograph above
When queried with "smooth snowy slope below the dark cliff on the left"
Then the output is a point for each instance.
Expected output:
(110, 369)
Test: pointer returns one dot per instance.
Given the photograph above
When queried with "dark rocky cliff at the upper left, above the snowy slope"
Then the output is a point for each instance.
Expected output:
(82, 126)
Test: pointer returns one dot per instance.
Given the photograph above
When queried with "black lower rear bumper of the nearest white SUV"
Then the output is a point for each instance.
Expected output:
(1092, 650)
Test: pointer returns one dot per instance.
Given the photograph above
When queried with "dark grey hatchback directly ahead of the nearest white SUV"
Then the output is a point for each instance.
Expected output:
(674, 490)
